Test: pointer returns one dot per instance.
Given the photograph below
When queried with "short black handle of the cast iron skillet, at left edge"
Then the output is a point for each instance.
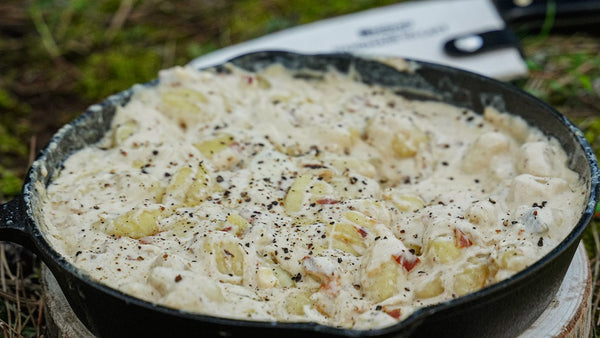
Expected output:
(12, 223)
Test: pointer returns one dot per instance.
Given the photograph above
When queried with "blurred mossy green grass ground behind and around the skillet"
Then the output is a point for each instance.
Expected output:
(58, 57)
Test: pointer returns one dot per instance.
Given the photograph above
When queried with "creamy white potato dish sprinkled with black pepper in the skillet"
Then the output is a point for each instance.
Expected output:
(304, 196)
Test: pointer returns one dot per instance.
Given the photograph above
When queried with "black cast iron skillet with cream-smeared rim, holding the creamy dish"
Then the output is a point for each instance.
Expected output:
(502, 309)
